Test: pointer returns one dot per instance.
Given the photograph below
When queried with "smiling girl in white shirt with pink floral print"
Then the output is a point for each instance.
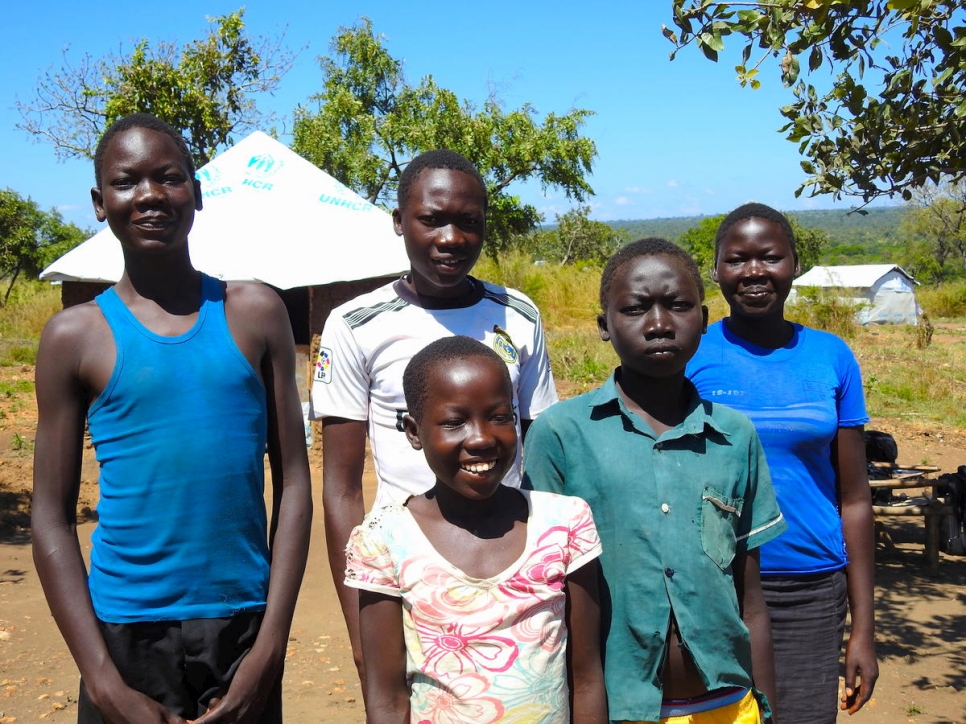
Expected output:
(468, 592)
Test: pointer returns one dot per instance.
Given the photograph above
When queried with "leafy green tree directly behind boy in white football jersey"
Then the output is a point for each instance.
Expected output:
(370, 122)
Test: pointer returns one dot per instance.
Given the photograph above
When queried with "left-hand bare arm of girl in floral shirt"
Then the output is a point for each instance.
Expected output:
(384, 650)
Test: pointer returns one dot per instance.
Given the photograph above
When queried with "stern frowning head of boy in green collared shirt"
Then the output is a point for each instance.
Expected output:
(654, 316)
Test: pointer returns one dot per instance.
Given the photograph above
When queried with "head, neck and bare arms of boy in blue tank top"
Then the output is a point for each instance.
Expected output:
(149, 197)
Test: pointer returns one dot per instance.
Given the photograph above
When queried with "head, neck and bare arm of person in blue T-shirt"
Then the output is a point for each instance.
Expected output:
(754, 267)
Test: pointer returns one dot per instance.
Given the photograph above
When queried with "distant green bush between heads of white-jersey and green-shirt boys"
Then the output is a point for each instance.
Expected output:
(576, 238)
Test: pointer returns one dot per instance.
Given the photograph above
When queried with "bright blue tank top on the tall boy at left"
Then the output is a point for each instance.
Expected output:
(179, 432)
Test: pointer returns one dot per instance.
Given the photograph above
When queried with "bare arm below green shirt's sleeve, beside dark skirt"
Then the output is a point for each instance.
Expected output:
(754, 613)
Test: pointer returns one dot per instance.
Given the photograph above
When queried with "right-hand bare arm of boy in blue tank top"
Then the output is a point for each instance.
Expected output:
(291, 509)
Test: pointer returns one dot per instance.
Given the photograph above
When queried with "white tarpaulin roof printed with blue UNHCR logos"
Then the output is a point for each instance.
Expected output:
(270, 216)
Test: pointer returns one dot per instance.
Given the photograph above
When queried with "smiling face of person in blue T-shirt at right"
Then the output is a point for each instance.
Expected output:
(755, 267)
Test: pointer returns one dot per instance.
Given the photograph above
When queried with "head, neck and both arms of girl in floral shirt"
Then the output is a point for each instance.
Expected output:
(480, 526)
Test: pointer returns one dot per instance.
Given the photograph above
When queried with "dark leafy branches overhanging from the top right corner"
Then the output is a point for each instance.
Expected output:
(895, 115)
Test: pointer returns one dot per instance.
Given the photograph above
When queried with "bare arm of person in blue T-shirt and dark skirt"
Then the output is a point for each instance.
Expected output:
(855, 499)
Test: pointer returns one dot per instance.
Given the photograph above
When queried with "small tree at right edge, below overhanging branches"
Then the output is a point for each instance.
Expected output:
(935, 219)
